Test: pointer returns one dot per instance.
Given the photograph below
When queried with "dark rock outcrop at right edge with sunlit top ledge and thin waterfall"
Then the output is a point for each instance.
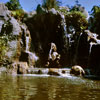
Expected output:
(89, 52)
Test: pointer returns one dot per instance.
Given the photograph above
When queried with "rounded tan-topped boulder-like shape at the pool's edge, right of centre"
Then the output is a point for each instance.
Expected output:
(77, 70)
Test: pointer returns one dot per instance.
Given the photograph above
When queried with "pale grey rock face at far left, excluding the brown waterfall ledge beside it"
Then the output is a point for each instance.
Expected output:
(11, 28)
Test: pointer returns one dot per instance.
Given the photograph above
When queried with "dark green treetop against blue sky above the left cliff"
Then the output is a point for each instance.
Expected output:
(13, 5)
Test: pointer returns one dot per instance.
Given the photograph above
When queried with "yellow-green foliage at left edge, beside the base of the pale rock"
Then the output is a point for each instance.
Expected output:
(3, 47)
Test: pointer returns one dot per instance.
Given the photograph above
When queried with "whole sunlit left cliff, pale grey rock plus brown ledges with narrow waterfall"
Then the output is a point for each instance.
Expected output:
(19, 38)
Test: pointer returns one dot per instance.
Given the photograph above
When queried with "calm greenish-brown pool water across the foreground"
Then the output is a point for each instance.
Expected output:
(48, 88)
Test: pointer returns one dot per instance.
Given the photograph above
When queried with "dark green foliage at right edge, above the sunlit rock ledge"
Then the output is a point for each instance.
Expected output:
(95, 20)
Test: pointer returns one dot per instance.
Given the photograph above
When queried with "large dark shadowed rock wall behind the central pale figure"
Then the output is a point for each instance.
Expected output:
(51, 25)
